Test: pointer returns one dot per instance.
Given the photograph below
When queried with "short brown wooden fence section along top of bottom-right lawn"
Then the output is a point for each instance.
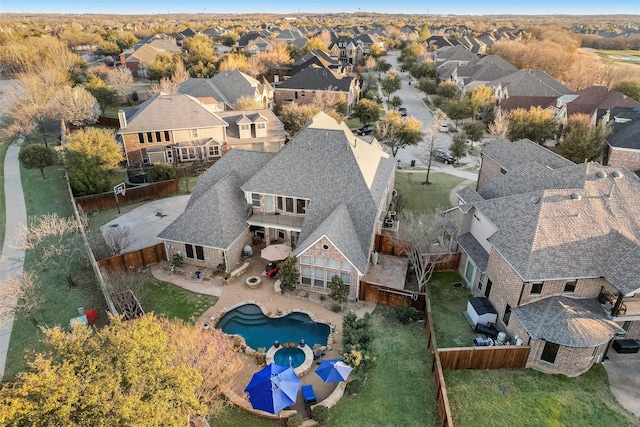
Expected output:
(494, 357)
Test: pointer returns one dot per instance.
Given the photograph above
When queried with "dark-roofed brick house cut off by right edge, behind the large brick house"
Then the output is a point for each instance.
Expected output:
(622, 146)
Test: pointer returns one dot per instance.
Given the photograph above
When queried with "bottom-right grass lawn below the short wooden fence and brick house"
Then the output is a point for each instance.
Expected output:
(524, 397)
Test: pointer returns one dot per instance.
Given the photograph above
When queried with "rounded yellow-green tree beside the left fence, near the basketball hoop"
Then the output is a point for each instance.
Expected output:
(91, 155)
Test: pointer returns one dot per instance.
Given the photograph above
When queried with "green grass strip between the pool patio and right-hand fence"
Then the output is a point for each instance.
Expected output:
(399, 390)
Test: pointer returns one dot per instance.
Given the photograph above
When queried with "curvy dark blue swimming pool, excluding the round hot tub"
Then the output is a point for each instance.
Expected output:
(258, 330)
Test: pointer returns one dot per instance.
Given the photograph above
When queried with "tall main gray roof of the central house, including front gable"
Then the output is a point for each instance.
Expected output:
(328, 165)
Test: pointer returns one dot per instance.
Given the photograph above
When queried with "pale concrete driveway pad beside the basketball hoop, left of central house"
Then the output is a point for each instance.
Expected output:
(147, 221)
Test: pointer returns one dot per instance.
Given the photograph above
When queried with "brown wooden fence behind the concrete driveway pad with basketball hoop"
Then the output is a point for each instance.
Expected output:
(134, 194)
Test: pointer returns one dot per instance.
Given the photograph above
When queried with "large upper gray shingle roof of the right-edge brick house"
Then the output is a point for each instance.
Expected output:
(591, 230)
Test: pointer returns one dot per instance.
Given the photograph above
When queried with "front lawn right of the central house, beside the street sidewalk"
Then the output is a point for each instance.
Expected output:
(418, 197)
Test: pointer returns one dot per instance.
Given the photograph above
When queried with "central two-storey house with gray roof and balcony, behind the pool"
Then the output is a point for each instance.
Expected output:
(324, 194)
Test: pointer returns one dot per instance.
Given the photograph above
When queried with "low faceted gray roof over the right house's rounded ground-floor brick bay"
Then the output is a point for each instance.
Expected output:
(567, 321)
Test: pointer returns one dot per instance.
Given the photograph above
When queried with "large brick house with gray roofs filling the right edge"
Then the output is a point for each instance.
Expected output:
(554, 246)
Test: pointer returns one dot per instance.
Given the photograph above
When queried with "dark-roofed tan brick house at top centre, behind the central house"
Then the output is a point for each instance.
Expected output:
(306, 86)
